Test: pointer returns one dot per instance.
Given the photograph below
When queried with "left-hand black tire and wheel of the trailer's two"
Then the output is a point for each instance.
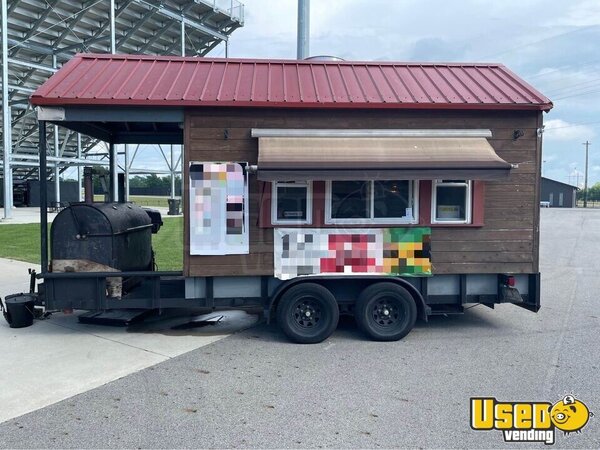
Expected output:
(308, 313)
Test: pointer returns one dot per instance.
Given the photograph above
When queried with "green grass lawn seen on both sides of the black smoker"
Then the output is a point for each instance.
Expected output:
(22, 242)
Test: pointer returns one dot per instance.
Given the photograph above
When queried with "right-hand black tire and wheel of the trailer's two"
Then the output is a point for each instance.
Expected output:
(385, 311)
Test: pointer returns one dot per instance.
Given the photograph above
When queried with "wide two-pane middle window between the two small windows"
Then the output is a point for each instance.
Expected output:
(371, 202)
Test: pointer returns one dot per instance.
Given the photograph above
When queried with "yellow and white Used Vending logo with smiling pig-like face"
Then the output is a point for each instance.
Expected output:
(529, 421)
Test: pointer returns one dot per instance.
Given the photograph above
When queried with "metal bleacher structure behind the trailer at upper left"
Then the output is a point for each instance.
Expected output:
(38, 36)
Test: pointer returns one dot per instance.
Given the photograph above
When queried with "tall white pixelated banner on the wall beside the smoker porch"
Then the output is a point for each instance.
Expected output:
(218, 202)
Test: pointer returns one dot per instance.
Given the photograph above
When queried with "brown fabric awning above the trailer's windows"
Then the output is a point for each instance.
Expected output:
(352, 158)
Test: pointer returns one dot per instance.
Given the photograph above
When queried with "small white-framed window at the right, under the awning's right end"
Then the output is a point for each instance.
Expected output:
(451, 201)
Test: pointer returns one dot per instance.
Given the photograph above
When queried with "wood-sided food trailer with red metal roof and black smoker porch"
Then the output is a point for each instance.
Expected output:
(390, 191)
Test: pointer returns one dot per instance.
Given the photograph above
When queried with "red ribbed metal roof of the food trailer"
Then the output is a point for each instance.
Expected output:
(128, 80)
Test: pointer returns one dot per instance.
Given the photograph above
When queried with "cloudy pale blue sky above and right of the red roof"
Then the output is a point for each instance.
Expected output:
(553, 44)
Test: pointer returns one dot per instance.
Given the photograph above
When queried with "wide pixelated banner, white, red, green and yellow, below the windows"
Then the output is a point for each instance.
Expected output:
(386, 251)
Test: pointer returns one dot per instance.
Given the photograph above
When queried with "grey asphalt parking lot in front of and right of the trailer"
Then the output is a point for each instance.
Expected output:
(254, 389)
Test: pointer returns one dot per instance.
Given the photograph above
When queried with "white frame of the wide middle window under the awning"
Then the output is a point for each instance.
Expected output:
(413, 192)
